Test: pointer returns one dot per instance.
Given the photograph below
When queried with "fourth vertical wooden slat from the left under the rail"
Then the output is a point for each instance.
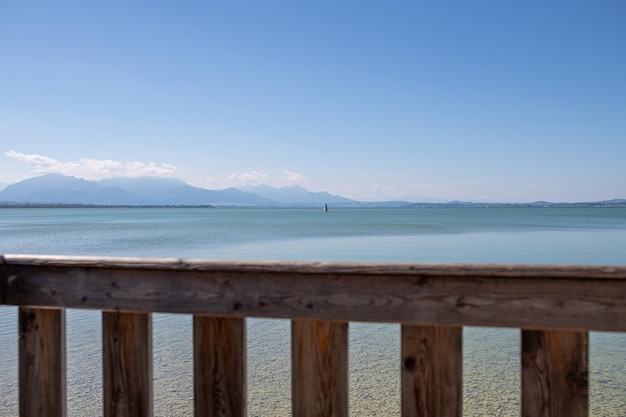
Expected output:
(319, 368)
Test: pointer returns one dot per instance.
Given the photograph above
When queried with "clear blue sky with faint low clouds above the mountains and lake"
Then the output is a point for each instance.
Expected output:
(422, 101)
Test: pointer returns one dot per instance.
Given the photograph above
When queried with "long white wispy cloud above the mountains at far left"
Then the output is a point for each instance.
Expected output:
(92, 169)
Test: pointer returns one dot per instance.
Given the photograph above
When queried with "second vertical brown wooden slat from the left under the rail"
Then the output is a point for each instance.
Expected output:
(127, 361)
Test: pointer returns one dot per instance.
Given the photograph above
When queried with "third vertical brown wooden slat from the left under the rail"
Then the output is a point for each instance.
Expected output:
(219, 366)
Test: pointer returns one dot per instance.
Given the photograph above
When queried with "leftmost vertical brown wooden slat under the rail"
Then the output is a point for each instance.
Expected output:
(42, 362)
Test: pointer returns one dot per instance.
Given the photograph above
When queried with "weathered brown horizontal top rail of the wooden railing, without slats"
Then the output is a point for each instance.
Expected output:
(559, 297)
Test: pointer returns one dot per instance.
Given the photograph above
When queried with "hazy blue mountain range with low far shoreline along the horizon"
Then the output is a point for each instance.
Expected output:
(60, 190)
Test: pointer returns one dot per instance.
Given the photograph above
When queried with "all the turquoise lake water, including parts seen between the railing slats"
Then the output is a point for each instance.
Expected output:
(464, 235)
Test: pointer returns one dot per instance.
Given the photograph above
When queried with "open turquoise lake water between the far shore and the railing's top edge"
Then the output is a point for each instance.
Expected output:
(404, 234)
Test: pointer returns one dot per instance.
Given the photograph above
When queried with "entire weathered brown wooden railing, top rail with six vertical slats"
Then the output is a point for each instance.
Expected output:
(555, 306)
